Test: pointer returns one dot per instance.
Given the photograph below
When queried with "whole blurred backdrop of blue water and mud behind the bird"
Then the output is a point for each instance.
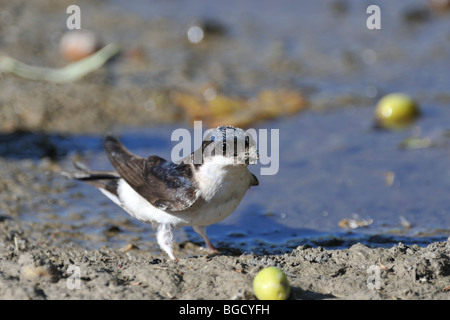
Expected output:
(311, 69)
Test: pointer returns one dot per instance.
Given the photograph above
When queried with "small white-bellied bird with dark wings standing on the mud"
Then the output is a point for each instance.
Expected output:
(202, 189)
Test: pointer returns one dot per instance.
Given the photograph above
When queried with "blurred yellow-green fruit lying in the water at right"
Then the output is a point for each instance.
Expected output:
(396, 110)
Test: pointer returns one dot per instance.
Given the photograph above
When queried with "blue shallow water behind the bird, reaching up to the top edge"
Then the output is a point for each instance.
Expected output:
(333, 164)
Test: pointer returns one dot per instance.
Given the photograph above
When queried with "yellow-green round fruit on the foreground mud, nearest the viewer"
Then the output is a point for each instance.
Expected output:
(271, 284)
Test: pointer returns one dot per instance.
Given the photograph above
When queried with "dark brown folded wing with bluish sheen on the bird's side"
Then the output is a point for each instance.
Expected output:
(165, 185)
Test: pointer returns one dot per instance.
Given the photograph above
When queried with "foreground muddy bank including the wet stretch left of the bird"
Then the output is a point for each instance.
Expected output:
(38, 257)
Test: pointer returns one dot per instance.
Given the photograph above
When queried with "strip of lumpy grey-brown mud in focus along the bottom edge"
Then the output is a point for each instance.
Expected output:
(34, 266)
